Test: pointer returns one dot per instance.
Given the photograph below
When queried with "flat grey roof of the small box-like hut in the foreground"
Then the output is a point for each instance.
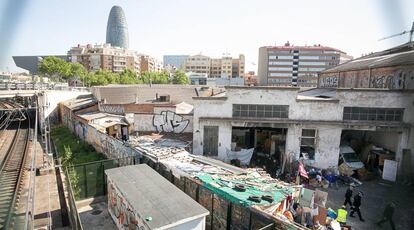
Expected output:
(151, 195)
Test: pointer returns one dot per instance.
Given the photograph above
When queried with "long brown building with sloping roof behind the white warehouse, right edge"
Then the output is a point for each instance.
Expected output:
(389, 69)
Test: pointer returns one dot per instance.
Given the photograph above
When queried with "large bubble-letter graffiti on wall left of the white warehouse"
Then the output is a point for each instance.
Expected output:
(169, 121)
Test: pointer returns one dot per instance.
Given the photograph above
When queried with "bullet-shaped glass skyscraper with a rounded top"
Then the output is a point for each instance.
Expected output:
(117, 28)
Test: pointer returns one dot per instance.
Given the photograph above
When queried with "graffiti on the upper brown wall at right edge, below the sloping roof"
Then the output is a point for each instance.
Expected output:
(399, 80)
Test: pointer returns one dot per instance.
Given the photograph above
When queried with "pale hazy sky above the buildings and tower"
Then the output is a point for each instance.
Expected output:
(210, 27)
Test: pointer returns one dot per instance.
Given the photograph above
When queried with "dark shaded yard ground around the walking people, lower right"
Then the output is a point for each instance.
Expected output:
(377, 194)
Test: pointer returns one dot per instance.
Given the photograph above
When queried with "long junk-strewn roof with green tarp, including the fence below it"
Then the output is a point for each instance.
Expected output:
(237, 198)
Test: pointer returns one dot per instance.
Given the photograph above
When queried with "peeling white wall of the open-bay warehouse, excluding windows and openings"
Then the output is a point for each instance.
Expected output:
(324, 116)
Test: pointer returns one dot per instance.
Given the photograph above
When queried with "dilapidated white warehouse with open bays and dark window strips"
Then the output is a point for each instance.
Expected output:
(284, 122)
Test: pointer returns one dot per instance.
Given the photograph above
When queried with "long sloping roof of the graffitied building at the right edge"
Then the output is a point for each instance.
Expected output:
(399, 55)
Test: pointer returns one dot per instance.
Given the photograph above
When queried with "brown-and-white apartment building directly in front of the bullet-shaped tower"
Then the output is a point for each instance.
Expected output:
(106, 57)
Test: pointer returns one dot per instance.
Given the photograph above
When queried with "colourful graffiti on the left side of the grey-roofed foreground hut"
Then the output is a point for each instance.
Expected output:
(122, 212)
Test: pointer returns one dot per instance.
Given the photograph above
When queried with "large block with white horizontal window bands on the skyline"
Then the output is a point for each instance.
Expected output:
(290, 65)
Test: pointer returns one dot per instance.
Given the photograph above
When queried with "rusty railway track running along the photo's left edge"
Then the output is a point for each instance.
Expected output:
(11, 172)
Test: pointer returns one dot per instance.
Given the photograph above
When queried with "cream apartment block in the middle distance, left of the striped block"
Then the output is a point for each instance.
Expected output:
(225, 67)
